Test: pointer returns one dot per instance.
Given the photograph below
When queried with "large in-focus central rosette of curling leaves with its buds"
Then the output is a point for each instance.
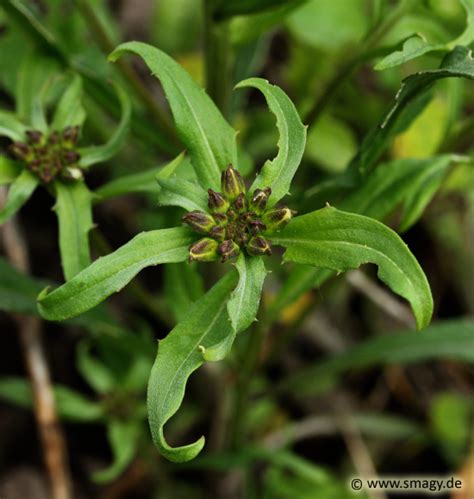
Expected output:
(229, 221)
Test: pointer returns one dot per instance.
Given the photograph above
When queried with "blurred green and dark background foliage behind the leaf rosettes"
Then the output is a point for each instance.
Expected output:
(345, 386)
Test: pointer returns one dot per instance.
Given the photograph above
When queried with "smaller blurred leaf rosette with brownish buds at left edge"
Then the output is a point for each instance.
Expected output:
(50, 154)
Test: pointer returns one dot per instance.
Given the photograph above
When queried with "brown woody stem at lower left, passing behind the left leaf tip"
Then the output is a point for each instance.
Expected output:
(29, 330)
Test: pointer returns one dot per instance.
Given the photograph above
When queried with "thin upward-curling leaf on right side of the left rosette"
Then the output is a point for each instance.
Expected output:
(98, 154)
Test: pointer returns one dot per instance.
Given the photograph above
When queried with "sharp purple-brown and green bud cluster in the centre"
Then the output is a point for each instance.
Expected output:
(235, 221)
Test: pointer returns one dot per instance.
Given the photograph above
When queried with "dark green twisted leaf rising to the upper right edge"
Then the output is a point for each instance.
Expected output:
(409, 101)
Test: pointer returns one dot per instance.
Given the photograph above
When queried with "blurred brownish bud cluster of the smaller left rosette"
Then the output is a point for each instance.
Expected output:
(50, 156)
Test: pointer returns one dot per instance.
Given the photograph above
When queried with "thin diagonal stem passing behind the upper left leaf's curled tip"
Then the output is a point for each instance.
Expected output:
(107, 45)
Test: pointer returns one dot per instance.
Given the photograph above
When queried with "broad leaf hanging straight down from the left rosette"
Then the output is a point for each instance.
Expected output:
(74, 210)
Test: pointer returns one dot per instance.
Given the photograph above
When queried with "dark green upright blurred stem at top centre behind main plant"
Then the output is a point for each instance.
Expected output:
(217, 59)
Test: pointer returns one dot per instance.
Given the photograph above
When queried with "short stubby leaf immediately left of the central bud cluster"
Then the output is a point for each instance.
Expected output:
(180, 192)
